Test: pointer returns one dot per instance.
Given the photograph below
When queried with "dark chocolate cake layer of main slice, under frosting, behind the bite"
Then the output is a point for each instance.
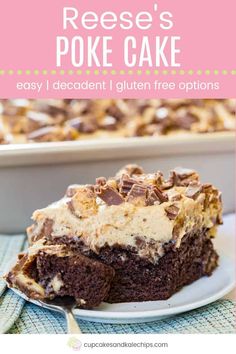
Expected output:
(138, 279)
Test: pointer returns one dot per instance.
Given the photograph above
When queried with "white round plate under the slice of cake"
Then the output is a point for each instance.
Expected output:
(200, 293)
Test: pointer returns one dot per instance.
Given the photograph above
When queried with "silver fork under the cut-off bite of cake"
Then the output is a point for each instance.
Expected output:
(65, 305)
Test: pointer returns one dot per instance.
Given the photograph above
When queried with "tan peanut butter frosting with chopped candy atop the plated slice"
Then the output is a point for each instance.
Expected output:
(133, 209)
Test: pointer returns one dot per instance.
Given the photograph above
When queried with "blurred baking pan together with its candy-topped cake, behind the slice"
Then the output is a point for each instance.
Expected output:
(45, 145)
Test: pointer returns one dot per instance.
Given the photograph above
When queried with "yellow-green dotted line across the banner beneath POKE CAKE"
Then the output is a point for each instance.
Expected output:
(117, 72)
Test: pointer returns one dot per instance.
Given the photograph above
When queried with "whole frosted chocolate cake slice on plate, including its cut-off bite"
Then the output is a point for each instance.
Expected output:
(133, 237)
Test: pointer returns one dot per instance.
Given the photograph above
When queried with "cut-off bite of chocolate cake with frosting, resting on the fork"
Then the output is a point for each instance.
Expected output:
(52, 271)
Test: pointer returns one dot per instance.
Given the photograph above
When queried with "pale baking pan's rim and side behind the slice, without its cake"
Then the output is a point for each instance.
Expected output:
(33, 175)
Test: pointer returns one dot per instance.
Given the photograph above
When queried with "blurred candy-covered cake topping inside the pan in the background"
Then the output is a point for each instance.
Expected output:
(24, 121)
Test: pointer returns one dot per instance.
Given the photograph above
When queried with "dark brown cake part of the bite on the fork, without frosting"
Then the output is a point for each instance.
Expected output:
(87, 280)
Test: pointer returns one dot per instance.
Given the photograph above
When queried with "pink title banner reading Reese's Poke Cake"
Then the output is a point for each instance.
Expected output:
(121, 49)
